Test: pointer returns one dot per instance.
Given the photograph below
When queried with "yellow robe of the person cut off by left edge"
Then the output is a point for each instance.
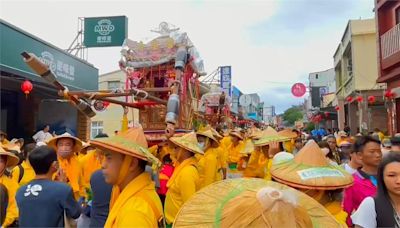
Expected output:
(12, 209)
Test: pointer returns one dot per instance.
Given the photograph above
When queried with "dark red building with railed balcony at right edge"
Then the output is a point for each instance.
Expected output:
(388, 39)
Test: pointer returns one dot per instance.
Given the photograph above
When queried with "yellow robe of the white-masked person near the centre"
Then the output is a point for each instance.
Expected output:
(208, 167)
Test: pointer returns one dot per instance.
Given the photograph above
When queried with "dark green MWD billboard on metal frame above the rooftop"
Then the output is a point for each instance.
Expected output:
(105, 31)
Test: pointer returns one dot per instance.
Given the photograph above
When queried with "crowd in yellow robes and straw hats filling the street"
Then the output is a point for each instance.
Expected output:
(121, 181)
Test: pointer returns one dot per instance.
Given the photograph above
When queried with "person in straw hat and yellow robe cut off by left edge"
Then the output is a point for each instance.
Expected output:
(9, 160)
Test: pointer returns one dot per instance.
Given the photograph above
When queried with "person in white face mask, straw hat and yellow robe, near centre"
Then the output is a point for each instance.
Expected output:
(208, 164)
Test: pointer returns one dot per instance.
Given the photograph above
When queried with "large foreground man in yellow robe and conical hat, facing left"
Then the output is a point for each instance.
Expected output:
(134, 201)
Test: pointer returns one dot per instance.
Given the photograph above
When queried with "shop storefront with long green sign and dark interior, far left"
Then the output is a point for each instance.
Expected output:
(22, 115)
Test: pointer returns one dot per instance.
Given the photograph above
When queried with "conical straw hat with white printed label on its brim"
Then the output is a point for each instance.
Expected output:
(311, 170)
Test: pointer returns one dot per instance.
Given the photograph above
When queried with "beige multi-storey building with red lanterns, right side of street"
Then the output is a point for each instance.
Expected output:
(356, 72)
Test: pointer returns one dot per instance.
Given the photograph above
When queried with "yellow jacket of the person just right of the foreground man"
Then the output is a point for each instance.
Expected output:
(181, 186)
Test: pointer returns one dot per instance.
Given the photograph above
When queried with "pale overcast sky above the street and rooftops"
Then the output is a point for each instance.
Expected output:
(269, 44)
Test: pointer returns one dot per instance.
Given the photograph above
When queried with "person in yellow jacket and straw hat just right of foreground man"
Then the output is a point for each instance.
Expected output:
(184, 182)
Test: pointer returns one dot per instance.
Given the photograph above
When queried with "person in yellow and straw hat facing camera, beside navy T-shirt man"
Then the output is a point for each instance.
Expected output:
(70, 170)
